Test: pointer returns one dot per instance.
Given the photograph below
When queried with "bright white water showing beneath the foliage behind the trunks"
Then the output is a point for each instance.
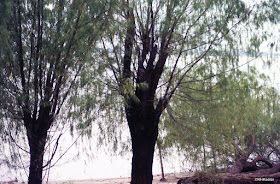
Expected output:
(101, 164)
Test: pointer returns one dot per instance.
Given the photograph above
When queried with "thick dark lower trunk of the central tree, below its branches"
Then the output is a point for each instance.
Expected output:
(144, 131)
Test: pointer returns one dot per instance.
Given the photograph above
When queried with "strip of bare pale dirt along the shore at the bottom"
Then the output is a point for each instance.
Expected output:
(170, 179)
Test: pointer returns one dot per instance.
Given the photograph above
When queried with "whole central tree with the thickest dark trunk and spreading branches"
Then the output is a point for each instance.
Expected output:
(153, 39)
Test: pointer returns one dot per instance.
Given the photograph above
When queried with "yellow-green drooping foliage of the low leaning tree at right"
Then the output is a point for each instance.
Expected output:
(206, 117)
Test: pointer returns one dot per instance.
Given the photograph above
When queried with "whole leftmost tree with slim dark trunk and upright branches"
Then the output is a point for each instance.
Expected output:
(44, 47)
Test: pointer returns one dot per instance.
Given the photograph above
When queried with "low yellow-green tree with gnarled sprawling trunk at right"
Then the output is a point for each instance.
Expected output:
(226, 123)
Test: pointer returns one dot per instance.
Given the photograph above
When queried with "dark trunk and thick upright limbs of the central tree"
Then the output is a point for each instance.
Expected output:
(142, 115)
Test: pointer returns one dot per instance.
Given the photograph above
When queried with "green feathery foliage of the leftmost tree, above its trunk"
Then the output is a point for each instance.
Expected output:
(47, 48)
